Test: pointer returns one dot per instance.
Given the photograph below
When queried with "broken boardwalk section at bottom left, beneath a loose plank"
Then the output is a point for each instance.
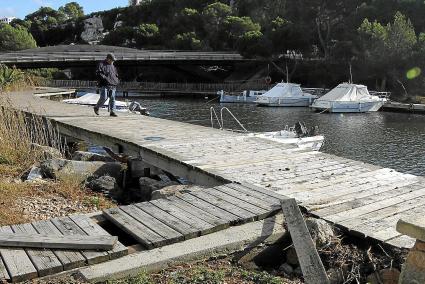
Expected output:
(19, 264)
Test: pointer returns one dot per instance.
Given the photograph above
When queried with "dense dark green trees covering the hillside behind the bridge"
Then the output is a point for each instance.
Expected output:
(383, 40)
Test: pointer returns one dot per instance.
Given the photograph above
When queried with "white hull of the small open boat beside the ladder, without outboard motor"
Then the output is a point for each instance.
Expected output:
(290, 136)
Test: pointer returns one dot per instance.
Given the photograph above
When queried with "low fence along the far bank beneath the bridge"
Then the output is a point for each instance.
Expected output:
(235, 86)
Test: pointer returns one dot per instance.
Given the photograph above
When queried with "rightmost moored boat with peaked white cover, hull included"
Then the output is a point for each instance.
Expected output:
(348, 97)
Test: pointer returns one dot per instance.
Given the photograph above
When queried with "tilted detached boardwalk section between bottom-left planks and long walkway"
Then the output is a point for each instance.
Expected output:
(165, 221)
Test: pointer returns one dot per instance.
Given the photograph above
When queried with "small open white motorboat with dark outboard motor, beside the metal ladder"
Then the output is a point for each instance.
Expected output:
(297, 135)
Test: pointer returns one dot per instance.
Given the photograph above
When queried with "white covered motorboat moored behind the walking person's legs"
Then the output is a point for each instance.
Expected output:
(91, 99)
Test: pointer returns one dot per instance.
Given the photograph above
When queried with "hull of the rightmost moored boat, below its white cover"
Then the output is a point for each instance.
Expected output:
(348, 107)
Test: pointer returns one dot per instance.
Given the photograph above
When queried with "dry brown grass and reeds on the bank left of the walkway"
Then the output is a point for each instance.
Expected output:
(18, 132)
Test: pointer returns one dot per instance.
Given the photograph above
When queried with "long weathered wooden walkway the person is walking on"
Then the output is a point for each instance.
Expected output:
(365, 199)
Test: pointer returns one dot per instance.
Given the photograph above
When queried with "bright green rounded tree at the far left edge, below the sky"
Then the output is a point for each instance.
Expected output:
(12, 39)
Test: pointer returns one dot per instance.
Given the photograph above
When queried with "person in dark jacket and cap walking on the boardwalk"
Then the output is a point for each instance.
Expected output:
(107, 77)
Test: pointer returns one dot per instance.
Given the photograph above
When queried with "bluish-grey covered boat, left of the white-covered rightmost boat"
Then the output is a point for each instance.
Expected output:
(286, 95)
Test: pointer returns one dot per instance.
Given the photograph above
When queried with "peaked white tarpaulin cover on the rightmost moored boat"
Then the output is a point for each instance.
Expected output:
(348, 93)
